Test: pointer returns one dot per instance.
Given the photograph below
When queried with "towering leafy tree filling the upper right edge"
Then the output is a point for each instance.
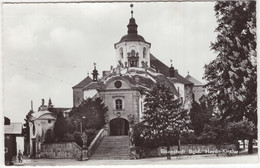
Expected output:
(232, 75)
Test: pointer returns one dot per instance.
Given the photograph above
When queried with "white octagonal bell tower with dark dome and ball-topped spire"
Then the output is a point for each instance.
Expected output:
(132, 50)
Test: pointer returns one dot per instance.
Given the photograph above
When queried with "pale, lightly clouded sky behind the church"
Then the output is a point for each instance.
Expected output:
(49, 48)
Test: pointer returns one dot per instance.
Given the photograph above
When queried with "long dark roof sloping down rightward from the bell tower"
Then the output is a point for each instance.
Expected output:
(164, 69)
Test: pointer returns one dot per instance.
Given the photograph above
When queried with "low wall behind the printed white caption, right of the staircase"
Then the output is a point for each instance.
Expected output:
(189, 149)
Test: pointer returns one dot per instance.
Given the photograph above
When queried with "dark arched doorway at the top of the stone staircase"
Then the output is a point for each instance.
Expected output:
(119, 126)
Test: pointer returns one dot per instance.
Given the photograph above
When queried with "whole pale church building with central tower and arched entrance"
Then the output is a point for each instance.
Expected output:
(122, 88)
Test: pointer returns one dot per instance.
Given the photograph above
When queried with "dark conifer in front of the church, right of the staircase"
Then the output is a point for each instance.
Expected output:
(163, 119)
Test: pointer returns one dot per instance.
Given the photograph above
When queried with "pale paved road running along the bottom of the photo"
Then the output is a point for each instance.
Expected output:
(203, 159)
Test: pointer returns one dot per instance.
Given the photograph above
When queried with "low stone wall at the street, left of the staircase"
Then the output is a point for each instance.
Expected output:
(61, 150)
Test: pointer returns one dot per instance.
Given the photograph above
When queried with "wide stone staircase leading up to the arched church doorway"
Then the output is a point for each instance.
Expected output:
(112, 148)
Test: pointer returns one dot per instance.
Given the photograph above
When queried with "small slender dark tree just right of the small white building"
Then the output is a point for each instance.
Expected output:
(60, 127)
